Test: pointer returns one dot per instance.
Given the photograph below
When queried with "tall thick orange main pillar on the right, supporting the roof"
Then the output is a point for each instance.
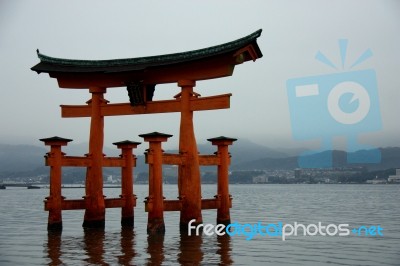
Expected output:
(189, 182)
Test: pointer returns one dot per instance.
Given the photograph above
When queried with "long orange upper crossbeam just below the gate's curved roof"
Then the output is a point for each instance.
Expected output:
(154, 107)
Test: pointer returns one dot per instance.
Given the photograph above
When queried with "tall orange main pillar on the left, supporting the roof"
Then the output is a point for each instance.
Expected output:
(94, 198)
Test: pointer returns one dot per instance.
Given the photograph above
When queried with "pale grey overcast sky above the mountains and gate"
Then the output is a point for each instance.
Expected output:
(293, 32)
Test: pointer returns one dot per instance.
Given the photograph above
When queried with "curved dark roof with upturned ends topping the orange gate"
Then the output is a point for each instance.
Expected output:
(212, 62)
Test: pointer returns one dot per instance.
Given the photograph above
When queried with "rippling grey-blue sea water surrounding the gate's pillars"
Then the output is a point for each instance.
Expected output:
(24, 239)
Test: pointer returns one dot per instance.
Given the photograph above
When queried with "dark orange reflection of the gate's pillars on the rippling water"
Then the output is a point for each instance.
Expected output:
(99, 247)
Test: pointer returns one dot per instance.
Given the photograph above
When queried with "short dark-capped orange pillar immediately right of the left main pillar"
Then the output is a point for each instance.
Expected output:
(127, 212)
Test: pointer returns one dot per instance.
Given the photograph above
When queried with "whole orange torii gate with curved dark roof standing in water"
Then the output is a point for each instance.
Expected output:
(140, 76)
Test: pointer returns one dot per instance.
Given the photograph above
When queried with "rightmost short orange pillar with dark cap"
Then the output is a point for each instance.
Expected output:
(223, 214)
